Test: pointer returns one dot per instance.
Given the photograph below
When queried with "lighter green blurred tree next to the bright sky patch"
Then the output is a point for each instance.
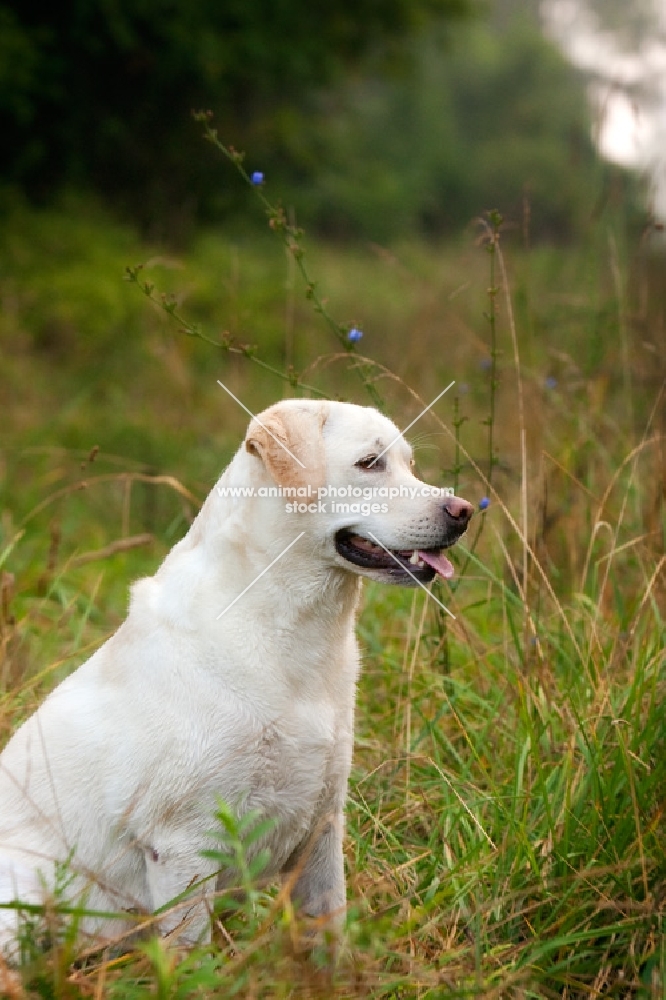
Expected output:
(502, 121)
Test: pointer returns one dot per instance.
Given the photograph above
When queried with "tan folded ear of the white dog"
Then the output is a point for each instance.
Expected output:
(290, 443)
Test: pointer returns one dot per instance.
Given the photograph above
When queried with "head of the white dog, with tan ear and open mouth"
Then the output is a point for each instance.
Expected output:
(345, 472)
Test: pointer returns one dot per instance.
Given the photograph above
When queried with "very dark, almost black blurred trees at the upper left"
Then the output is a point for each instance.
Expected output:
(98, 92)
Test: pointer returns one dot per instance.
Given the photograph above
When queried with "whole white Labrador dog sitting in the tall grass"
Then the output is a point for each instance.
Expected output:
(228, 680)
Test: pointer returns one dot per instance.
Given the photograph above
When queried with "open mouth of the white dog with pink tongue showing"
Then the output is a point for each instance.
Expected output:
(400, 565)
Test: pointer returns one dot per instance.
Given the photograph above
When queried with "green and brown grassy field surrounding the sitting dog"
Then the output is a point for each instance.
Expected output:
(506, 813)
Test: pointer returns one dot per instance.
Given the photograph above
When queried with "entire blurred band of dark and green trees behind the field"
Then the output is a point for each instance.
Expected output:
(370, 120)
